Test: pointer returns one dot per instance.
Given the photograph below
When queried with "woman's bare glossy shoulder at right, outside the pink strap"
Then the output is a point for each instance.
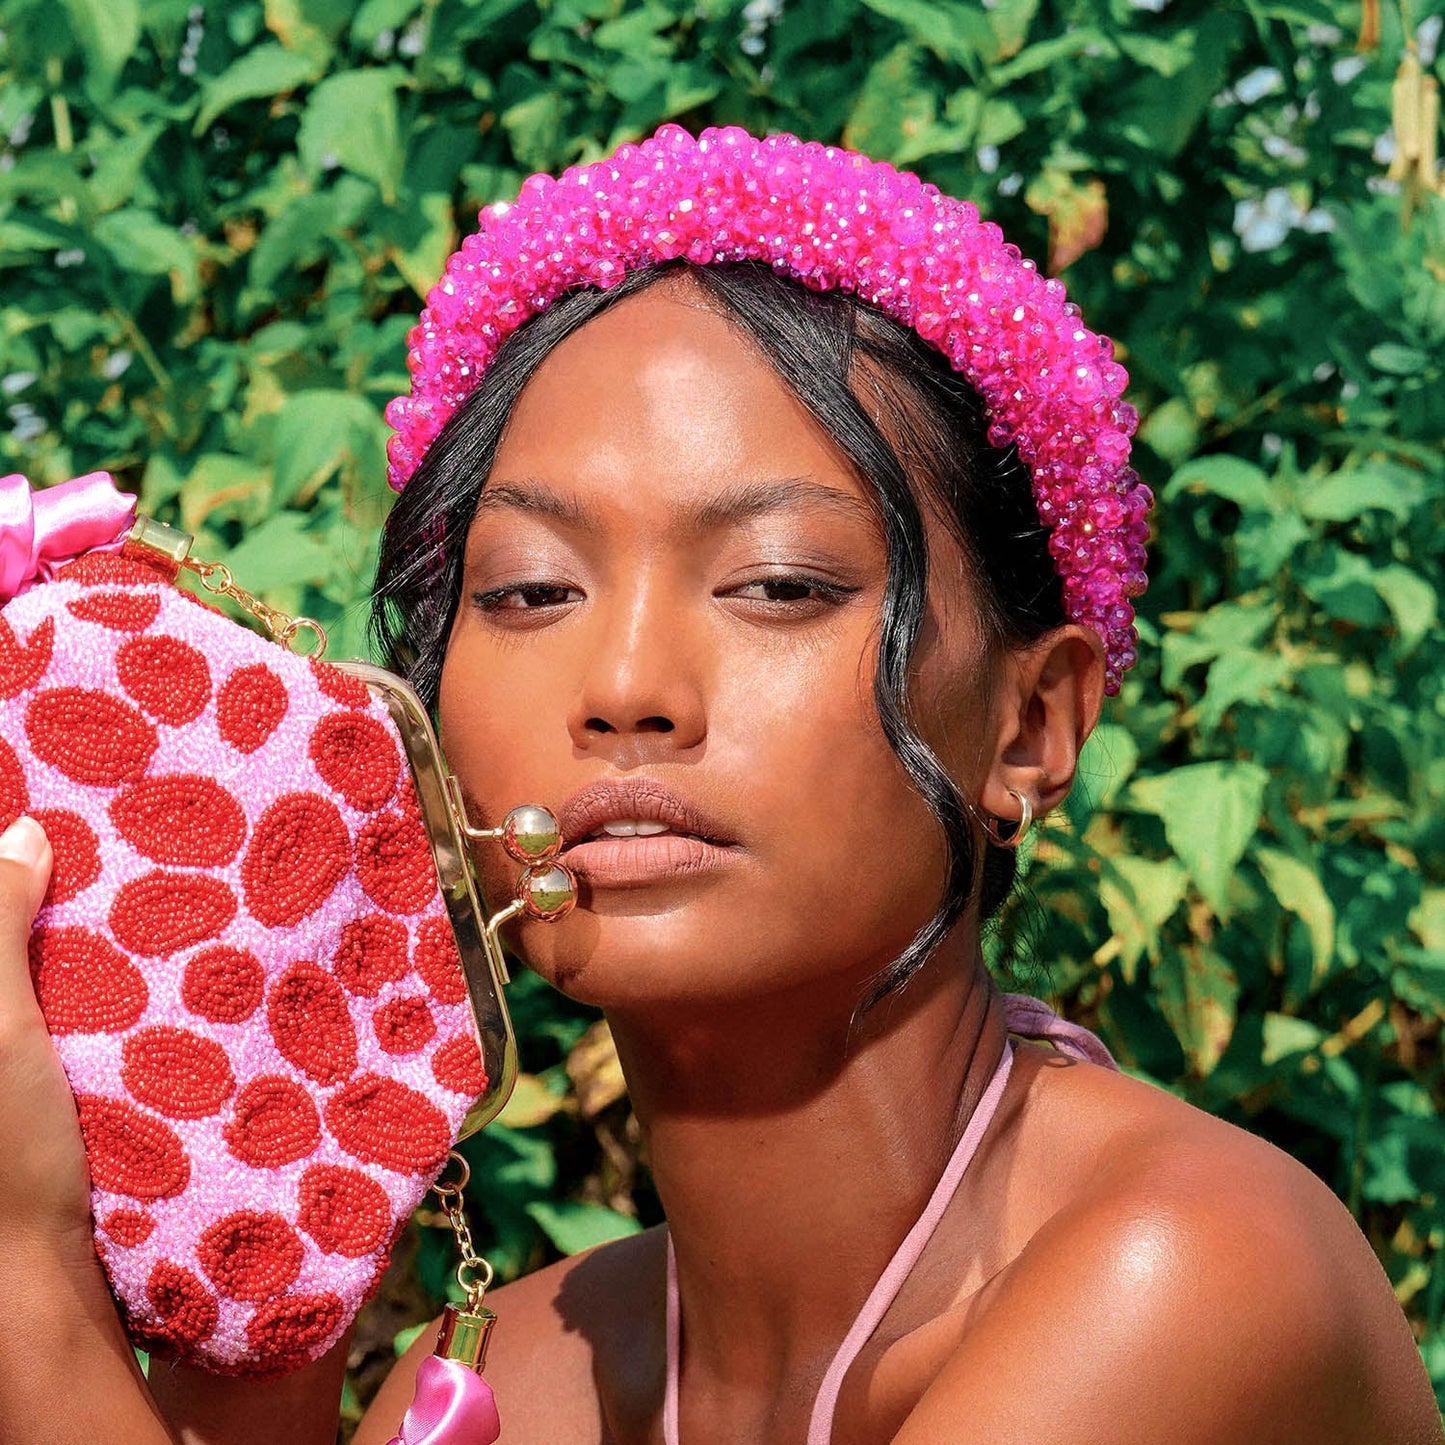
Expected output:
(1194, 1285)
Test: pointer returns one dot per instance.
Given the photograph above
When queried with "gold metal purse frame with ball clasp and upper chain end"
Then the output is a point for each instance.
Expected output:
(545, 889)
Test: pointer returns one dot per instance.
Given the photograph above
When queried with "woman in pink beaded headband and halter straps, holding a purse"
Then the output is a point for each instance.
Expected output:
(735, 573)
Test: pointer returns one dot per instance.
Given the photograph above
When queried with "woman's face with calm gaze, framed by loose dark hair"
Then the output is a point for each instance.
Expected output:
(667, 635)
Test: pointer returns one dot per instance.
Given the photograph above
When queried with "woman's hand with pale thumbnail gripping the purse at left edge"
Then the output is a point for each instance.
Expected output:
(46, 1181)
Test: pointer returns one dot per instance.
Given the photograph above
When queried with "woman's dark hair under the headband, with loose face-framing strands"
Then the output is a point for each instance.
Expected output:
(892, 405)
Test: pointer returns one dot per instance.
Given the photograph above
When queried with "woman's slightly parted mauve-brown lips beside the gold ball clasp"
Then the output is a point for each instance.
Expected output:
(634, 833)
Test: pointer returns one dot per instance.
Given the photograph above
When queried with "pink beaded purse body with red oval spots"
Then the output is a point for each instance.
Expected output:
(243, 959)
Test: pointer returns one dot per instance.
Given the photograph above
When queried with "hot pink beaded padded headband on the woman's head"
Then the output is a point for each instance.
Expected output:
(830, 219)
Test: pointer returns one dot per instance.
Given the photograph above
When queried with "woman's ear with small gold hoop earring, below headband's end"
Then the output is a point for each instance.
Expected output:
(1048, 702)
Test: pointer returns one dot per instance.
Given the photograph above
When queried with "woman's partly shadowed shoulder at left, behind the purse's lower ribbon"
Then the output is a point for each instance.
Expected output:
(573, 1352)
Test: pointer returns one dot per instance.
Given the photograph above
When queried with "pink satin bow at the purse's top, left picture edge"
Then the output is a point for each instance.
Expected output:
(41, 531)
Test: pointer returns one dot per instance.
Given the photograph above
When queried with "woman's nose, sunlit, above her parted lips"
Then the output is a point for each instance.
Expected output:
(642, 697)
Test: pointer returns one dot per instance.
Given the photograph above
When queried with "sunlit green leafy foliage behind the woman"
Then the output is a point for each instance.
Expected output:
(216, 225)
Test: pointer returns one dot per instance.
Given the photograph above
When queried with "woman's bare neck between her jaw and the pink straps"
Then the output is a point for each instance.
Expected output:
(795, 1147)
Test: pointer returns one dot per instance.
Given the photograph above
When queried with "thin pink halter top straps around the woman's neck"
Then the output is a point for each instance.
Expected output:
(1025, 1017)
